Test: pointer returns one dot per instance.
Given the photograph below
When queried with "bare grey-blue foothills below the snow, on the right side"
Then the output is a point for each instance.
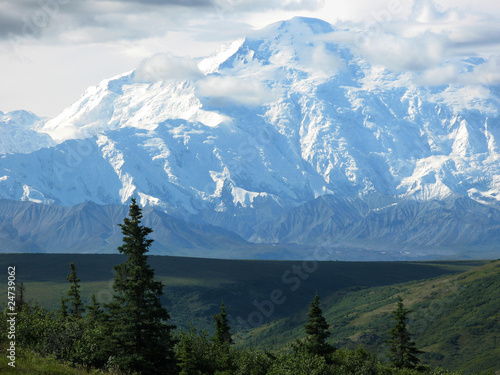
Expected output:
(448, 226)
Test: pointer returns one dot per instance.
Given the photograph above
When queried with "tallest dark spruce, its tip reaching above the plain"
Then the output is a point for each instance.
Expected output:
(139, 338)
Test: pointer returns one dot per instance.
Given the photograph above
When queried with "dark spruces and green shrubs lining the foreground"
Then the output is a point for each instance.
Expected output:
(132, 334)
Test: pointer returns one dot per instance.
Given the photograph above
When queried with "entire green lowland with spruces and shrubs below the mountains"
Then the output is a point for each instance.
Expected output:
(118, 325)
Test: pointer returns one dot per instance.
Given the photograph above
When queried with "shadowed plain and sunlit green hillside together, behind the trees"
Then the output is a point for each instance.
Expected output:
(268, 300)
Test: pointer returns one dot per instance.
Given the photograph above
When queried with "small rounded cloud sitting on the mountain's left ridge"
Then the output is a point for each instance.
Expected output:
(166, 66)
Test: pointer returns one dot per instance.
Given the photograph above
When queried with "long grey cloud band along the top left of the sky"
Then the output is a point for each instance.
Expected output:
(97, 21)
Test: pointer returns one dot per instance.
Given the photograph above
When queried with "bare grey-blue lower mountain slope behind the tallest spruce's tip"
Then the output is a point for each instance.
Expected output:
(32, 227)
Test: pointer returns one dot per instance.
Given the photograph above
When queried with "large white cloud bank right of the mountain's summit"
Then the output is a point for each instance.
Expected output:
(425, 37)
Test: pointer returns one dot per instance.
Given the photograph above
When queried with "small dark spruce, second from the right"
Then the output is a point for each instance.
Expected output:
(317, 330)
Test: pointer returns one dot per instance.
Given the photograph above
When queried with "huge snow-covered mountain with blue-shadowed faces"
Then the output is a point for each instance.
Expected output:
(264, 125)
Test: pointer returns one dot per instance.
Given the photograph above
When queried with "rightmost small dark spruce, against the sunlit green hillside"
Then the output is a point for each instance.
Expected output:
(402, 350)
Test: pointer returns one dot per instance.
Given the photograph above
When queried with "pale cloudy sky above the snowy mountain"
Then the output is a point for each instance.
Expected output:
(52, 50)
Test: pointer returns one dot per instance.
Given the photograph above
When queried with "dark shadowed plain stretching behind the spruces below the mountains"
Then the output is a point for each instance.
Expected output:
(195, 287)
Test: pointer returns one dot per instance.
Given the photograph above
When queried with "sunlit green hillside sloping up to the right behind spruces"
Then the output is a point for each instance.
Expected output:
(456, 319)
